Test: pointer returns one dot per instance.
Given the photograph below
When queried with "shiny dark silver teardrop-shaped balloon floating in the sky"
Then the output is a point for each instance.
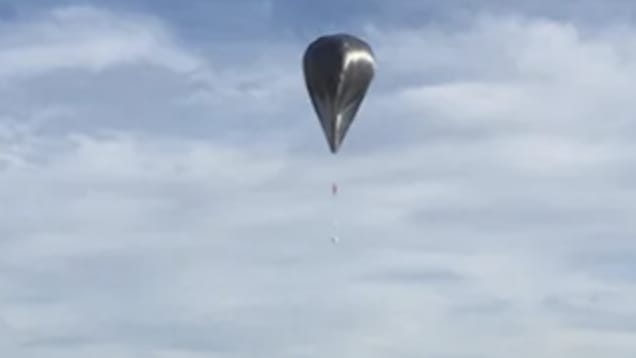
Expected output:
(338, 71)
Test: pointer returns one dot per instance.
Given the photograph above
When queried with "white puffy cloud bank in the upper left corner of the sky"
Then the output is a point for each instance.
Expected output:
(88, 39)
